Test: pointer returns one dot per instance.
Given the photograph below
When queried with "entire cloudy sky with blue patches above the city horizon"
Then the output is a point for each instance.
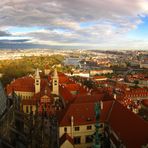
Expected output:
(74, 24)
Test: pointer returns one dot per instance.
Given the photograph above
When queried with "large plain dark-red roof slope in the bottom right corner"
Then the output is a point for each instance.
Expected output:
(130, 128)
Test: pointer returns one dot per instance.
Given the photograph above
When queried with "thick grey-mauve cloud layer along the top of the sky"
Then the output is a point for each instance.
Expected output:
(55, 12)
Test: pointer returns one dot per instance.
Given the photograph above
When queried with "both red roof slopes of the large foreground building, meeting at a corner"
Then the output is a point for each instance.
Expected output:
(129, 127)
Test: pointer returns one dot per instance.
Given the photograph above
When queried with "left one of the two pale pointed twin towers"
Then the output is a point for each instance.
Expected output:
(37, 81)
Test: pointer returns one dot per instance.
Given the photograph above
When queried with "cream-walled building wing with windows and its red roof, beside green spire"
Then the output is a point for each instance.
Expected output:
(78, 122)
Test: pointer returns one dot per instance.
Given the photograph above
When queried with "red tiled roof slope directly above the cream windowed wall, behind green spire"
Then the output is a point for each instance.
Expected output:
(83, 113)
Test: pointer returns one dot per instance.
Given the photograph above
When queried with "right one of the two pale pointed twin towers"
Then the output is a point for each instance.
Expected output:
(55, 83)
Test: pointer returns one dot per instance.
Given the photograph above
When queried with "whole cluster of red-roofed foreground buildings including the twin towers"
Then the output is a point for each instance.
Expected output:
(74, 106)
